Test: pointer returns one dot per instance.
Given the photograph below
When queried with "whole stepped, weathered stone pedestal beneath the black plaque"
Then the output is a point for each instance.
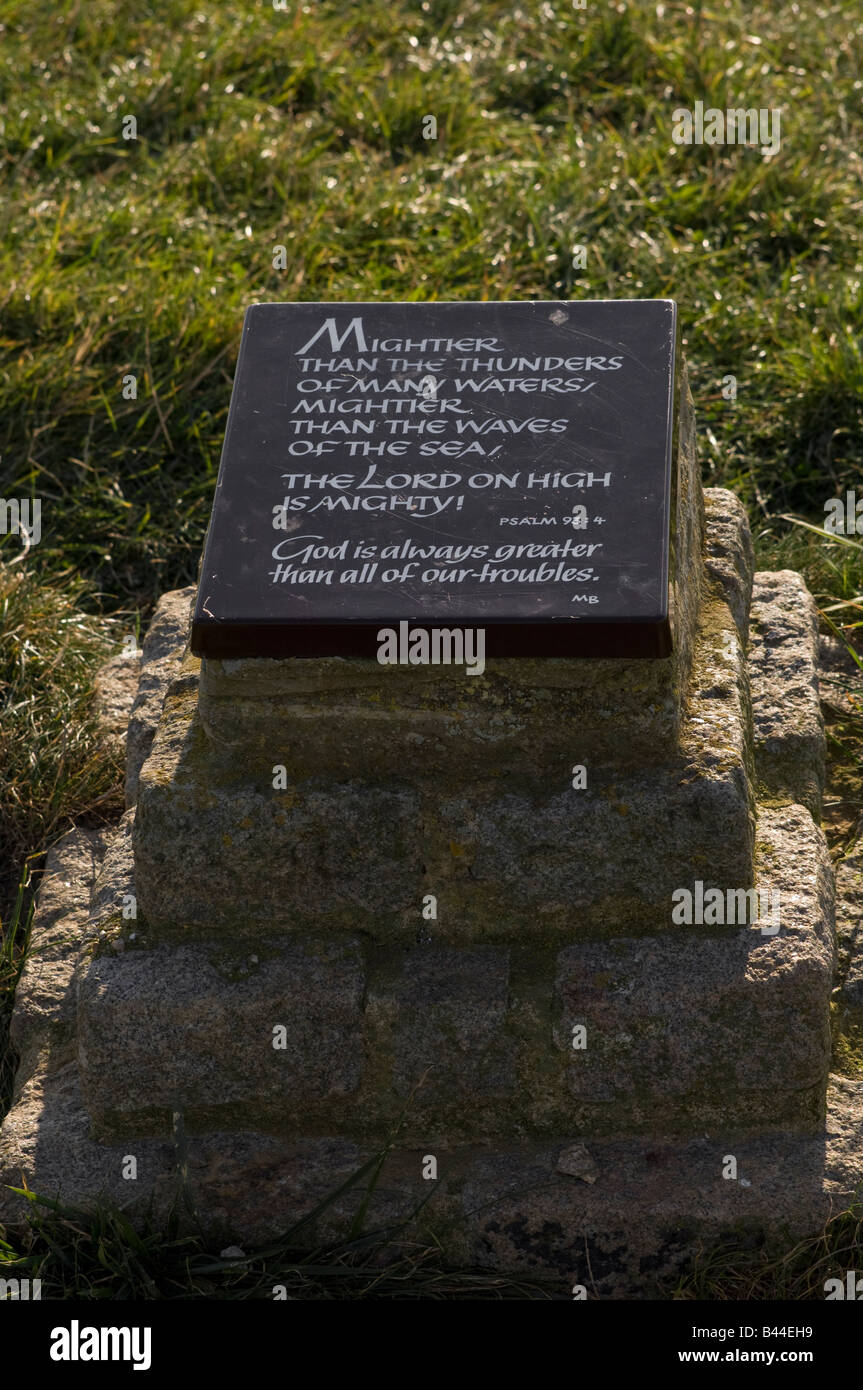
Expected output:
(391, 875)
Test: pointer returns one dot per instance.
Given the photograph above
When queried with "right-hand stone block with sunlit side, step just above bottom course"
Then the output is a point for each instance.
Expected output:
(689, 1031)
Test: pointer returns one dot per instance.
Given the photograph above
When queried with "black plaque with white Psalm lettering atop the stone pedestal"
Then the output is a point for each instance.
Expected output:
(505, 466)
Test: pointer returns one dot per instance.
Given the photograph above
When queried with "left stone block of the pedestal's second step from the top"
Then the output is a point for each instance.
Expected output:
(343, 856)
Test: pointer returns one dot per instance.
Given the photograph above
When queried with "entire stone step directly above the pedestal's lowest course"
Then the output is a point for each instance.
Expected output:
(687, 1029)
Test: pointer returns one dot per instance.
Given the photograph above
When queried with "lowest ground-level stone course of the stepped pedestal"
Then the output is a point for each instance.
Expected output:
(655, 1204)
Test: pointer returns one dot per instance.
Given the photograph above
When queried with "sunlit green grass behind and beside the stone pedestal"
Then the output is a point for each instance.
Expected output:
(304, 129)
